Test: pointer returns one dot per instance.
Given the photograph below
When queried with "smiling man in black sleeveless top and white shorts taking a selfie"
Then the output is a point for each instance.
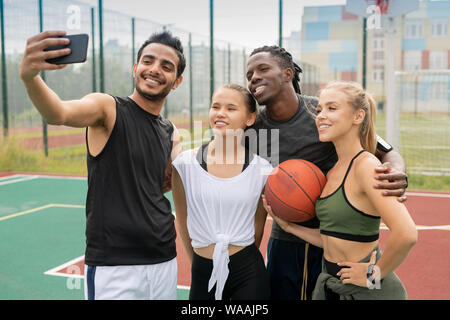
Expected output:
(130, 233)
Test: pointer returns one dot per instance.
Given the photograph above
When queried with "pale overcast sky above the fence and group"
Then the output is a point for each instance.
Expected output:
(251, 23)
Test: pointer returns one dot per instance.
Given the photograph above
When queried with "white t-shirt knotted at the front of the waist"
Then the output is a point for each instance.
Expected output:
(221, 211)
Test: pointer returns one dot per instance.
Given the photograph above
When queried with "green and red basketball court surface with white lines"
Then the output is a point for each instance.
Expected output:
(42, 240)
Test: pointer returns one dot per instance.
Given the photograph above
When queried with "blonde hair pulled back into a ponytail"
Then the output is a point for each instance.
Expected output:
(358, 98)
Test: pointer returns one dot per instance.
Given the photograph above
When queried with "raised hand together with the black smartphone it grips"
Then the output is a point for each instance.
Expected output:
(50, 50)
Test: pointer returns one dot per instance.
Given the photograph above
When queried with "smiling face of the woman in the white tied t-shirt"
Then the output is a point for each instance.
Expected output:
(229, 112)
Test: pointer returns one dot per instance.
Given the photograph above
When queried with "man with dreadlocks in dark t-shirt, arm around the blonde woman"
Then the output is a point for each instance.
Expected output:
(273, 78)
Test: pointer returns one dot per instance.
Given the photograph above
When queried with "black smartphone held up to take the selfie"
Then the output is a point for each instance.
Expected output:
(78, 44)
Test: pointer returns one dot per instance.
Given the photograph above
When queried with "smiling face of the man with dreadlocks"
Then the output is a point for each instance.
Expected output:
(265, 77)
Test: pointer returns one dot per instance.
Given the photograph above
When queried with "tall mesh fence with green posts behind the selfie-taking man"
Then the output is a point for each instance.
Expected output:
(113, 47)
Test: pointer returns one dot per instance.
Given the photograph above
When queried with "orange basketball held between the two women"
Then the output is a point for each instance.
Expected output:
(292, 189)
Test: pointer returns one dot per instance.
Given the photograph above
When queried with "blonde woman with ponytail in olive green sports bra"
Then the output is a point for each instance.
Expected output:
(350, 209)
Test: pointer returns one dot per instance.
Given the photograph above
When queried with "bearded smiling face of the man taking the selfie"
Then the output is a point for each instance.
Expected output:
(156, 72)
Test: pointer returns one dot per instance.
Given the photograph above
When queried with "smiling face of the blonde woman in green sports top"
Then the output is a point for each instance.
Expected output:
(335, 116)
